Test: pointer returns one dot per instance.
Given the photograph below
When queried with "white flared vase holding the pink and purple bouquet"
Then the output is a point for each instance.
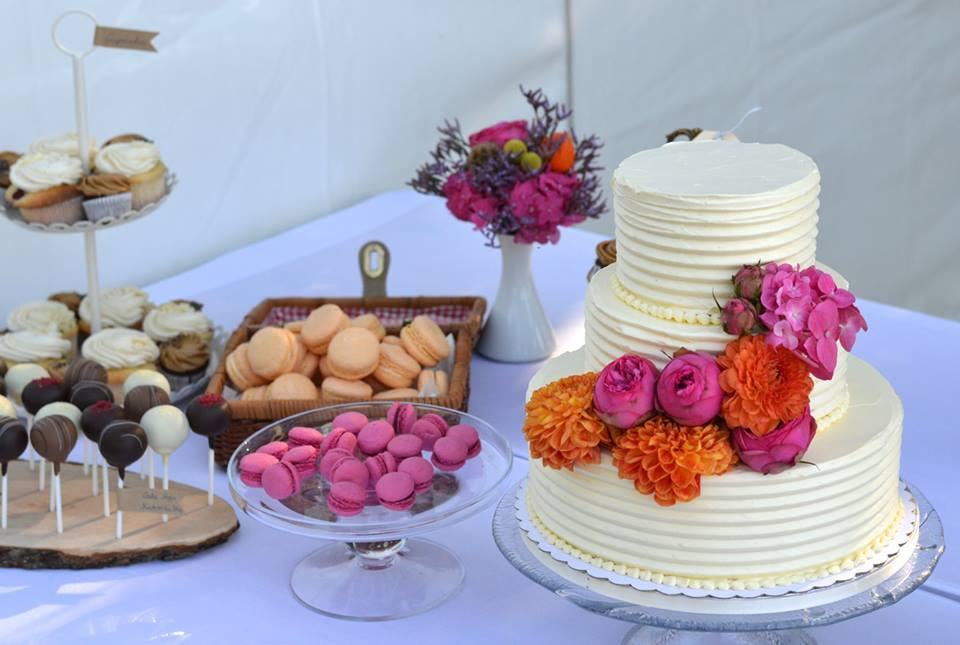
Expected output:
(517, 330)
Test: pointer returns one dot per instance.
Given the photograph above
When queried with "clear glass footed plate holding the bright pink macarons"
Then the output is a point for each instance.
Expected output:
(375, 571)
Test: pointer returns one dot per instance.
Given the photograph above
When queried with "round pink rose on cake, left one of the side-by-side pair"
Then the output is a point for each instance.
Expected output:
(623, 396)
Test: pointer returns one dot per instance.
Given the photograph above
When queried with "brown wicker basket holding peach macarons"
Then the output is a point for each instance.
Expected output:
(461, 316)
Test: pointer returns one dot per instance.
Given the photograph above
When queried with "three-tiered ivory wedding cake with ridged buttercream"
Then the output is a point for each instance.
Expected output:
(688, 216)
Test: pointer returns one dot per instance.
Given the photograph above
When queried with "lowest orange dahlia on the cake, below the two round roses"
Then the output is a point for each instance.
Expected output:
(667, 460)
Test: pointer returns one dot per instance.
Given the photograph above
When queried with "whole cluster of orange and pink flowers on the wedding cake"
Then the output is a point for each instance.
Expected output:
(702, 414)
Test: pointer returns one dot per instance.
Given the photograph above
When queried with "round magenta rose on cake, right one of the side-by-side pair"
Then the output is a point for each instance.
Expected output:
(688, 389)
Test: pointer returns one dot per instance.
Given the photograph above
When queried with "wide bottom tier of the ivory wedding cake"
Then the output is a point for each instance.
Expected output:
(746, 530)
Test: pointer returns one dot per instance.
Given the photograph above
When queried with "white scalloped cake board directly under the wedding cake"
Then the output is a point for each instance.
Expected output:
(768, 600)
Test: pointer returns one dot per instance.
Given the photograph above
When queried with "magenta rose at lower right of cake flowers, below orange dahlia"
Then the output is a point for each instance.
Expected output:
(779, 450)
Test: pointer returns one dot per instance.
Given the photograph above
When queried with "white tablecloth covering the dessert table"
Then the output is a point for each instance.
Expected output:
(239, 592)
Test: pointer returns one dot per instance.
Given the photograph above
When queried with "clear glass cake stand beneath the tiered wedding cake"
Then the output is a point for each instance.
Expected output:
(660, 618)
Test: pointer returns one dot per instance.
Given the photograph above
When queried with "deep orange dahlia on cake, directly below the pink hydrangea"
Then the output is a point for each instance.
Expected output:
(765, 385)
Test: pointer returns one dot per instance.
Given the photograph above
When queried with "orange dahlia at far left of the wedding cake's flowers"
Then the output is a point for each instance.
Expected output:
(561, 426)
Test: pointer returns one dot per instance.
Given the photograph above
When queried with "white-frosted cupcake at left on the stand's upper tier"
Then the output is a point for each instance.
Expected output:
(44, 187)
